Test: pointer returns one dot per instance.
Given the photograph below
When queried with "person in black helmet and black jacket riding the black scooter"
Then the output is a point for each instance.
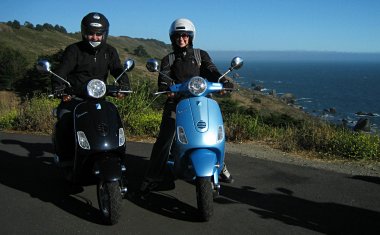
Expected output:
(82, 61)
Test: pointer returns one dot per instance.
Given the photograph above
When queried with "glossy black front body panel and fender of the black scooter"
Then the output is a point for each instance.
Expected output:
(99, 120)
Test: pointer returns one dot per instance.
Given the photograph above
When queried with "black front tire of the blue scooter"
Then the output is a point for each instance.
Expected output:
(204, 193)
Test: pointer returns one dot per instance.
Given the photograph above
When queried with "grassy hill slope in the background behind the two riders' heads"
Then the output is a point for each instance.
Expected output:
(33, 43)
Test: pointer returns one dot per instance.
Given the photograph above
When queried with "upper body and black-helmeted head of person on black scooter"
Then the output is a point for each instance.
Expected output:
(90, 58)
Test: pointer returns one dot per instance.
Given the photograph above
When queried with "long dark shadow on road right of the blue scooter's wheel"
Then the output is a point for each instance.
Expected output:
(328, 218)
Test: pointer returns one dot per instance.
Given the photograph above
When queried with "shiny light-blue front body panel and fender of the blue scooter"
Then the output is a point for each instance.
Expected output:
(201, 120)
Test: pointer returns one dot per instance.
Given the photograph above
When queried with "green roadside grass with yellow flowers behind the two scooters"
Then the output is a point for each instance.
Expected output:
(141, 119)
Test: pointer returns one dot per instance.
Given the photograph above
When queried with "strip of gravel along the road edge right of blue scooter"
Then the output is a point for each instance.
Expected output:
(257, 150)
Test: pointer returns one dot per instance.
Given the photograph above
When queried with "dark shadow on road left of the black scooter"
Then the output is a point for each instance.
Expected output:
(36, 176)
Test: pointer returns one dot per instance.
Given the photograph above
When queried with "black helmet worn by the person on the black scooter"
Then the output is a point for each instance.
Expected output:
(95, 22)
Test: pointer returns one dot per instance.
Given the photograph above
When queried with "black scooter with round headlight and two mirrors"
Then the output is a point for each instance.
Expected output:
(99, 143)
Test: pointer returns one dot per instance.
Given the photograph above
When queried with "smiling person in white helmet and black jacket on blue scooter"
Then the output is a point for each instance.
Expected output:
(180, 67)
